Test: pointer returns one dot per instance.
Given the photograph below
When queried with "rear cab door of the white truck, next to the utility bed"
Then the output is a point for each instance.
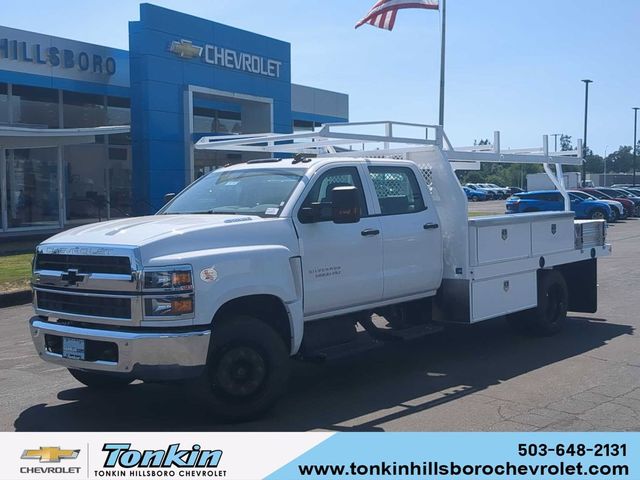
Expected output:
(412, 242)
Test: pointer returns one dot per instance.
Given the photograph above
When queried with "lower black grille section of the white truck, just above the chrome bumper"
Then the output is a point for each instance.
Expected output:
(103, 306)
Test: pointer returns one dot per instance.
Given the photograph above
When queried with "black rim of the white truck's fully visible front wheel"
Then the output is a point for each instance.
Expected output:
(241, 372)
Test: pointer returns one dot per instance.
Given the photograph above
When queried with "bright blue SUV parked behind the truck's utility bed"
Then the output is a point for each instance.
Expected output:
(551, 200)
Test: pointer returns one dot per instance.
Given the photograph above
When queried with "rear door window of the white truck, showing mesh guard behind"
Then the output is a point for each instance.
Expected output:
(397, 189)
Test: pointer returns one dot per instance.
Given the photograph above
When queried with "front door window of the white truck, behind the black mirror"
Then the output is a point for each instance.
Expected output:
(322, 190)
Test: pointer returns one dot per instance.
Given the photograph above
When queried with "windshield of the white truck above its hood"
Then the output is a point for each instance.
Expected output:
(262, 192)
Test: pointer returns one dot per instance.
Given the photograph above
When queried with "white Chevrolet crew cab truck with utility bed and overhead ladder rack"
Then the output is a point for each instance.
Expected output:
(303, 257)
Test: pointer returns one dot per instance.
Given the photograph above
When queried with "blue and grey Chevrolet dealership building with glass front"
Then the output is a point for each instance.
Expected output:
(89, 132)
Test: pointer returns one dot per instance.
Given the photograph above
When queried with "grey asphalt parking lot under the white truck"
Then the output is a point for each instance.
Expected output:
(478, 378)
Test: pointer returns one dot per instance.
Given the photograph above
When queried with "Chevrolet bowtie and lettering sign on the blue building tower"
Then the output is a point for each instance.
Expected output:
(228, 58)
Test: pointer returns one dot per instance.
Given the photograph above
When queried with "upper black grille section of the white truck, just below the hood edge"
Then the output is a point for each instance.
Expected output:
(83, 263)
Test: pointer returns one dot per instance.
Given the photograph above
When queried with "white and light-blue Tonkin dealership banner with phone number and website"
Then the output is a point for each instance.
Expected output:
(319, 455)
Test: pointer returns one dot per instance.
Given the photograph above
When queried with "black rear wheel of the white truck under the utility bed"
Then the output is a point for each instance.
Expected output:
(549, 316)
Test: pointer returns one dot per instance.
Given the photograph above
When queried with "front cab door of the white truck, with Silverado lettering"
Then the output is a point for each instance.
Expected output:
(342, 263)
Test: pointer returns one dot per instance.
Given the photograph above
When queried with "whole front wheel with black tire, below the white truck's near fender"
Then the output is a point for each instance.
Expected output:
(248, 368)
